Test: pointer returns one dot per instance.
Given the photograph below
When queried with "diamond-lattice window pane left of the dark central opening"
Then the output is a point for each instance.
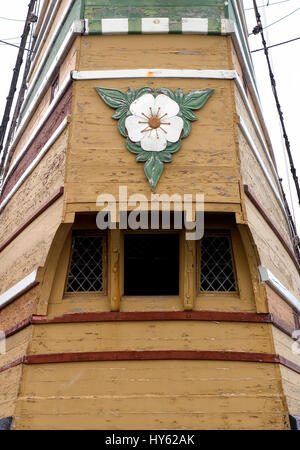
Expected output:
(86, 268)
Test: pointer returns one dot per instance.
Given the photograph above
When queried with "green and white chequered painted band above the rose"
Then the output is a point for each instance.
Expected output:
(159, 25)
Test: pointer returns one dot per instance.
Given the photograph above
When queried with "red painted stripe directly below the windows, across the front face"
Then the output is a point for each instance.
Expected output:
(157, 315)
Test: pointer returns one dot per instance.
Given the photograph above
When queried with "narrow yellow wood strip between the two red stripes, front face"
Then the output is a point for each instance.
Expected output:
(152, 335)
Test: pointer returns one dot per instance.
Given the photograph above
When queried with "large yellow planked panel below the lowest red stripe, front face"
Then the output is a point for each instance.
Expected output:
(151, 395)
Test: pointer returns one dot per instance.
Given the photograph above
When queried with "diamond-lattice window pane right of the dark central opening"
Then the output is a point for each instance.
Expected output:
(217, 272)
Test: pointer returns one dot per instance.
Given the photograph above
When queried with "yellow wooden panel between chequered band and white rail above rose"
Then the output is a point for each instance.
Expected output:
(181, 51)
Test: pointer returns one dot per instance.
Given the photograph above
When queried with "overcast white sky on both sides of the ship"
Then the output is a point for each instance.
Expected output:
(285, 60)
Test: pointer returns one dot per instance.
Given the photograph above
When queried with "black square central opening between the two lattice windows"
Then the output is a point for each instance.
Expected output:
(151, 264)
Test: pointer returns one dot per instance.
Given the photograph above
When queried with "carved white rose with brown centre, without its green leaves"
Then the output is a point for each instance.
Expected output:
(154, 122)
